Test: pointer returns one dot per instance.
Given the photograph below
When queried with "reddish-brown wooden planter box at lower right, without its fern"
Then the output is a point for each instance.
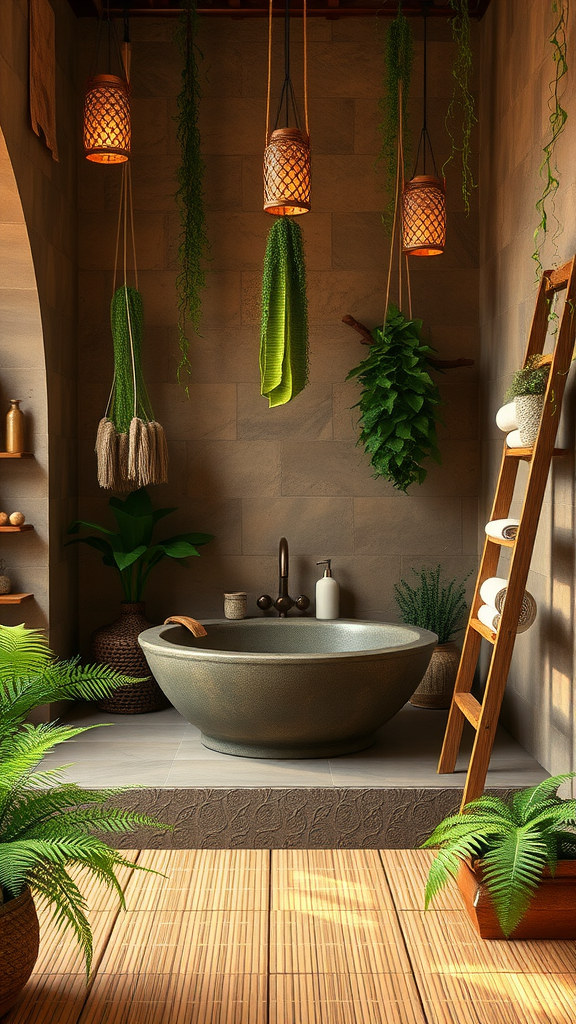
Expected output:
(552, 914)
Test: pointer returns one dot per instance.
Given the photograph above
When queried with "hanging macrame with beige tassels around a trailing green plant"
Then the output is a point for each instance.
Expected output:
(131, 444)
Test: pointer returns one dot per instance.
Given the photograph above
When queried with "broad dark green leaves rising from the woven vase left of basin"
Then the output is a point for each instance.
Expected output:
(132, 549)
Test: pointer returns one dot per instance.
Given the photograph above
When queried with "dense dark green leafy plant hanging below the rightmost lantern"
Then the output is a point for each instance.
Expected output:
(398, 402)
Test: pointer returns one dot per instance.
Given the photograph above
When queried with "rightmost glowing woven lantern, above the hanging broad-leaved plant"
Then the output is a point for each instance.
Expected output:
(424, 217)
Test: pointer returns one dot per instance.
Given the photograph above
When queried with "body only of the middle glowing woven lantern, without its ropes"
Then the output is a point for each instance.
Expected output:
(287, 173)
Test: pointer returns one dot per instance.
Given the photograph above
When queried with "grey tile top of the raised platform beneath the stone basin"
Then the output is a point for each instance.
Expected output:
(163, 750)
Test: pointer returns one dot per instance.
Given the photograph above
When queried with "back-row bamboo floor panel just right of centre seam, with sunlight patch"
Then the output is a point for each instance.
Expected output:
(328, 880)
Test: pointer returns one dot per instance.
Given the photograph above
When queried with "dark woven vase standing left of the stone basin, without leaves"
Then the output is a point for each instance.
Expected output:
(118, 647)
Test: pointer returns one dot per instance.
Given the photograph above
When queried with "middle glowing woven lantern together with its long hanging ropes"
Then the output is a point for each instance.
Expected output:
(287, 160)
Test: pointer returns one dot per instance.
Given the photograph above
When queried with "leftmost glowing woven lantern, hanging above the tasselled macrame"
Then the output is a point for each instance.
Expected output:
(107, 120)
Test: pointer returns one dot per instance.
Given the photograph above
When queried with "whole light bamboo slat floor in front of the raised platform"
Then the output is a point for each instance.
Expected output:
(293, 937)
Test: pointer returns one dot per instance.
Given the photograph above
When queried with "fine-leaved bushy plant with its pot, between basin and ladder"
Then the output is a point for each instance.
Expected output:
(438, 606)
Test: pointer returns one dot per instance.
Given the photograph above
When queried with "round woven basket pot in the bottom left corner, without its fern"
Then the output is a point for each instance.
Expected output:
(20, 937)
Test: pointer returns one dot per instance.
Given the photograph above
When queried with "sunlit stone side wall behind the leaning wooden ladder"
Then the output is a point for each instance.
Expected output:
(516, 71)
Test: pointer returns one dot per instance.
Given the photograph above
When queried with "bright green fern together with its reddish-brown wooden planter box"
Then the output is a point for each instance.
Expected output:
(514, 862)
